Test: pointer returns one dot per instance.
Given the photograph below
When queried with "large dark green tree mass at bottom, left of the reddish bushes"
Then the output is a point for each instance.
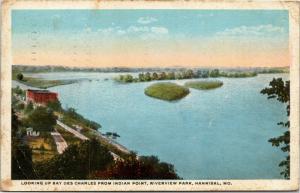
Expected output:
(77, 162)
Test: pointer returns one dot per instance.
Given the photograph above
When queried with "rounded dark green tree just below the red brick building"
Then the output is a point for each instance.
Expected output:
(42, 119)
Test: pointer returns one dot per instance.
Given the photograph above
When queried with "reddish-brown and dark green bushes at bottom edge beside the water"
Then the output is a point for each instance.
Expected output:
(141, 168)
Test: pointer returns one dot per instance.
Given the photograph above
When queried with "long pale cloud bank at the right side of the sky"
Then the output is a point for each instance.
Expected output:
(260, 30)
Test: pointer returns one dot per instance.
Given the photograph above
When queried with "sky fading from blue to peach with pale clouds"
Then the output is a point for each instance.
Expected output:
(151, 38)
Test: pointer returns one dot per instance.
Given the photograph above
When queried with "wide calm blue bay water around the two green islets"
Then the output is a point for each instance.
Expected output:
(213, 134)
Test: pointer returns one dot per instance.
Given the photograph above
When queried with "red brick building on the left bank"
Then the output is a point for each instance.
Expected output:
(40, 96)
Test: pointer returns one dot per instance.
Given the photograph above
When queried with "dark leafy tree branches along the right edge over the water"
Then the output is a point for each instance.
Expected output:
(280, 90)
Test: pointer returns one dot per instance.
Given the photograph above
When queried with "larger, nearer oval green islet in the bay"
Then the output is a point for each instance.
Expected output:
(166, 91)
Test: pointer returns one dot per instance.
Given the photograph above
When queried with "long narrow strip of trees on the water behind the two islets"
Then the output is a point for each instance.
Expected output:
(185, 74)
